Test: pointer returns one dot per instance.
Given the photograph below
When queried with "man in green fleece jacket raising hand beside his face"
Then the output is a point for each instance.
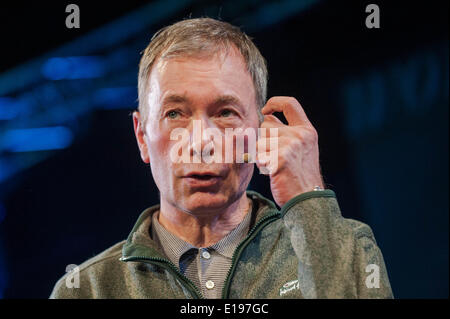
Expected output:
(209, 237)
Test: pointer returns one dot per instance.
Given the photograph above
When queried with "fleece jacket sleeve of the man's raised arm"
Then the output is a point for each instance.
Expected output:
(337, 257)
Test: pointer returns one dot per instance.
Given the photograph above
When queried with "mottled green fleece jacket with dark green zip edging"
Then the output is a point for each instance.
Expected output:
(305, 250)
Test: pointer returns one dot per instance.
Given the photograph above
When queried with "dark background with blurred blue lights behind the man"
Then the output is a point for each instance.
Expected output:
(377, 97)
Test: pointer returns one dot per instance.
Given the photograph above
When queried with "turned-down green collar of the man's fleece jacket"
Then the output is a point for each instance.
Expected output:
(140, 244)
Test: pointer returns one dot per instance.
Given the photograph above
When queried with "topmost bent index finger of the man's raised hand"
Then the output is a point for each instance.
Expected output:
(291, 108)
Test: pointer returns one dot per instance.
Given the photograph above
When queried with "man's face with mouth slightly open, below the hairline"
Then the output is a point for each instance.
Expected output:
(218, 92)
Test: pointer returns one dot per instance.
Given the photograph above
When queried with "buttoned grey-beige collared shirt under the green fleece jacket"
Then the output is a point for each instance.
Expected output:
(206, 267)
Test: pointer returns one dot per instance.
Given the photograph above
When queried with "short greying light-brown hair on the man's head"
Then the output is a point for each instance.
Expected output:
(195, 37)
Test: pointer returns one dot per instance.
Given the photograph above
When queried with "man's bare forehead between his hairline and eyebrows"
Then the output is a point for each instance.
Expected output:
(203, 76)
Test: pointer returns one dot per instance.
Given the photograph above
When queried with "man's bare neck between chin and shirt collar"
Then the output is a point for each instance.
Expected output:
(203, 231)
